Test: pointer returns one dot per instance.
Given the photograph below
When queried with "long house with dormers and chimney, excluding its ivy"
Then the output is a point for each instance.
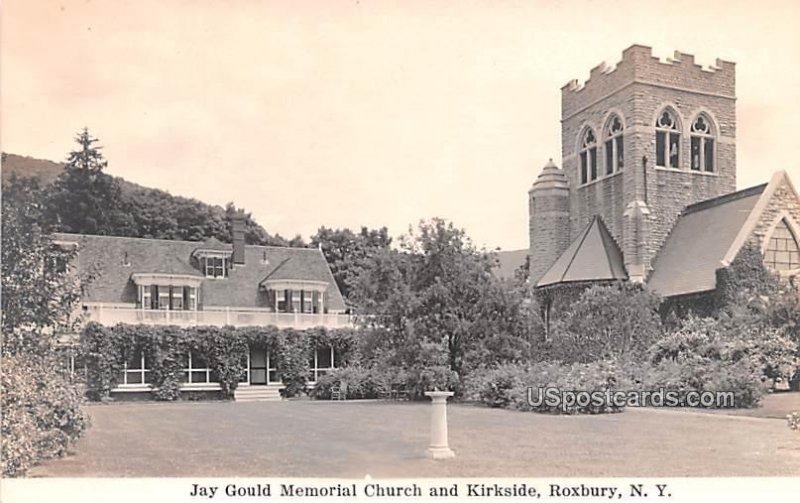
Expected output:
(163, 282)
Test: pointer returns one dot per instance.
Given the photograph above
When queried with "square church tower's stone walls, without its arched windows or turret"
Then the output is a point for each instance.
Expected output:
(638, 89)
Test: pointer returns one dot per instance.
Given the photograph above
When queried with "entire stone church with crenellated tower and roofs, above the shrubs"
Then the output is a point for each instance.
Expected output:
(647, 192)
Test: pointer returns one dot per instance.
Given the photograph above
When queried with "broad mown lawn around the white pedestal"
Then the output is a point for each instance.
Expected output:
(388, 439)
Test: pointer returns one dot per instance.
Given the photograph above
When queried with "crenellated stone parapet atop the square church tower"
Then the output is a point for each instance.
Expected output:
(639, 65)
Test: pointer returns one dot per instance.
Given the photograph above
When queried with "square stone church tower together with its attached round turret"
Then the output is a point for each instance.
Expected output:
(640, 142)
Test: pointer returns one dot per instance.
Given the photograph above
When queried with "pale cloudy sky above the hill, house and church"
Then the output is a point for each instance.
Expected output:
(375, 113)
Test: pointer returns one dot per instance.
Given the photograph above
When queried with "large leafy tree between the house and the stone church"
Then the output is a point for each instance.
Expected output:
(434, 302)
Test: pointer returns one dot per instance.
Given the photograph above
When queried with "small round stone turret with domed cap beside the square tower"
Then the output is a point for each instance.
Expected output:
(548, 222)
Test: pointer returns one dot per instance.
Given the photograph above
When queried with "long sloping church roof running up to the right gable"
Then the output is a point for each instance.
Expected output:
(699, 242)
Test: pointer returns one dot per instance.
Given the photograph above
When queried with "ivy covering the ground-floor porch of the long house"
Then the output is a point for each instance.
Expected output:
(104, 351)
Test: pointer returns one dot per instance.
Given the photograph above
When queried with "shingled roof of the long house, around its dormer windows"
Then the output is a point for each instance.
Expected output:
(112, 260)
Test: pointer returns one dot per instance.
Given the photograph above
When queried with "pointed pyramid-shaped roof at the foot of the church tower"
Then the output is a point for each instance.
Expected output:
(592, 256)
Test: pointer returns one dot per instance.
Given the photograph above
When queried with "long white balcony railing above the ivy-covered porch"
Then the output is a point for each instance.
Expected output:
(216, 316)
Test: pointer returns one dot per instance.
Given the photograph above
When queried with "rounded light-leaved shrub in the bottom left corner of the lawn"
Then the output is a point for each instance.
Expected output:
(41, 413)
